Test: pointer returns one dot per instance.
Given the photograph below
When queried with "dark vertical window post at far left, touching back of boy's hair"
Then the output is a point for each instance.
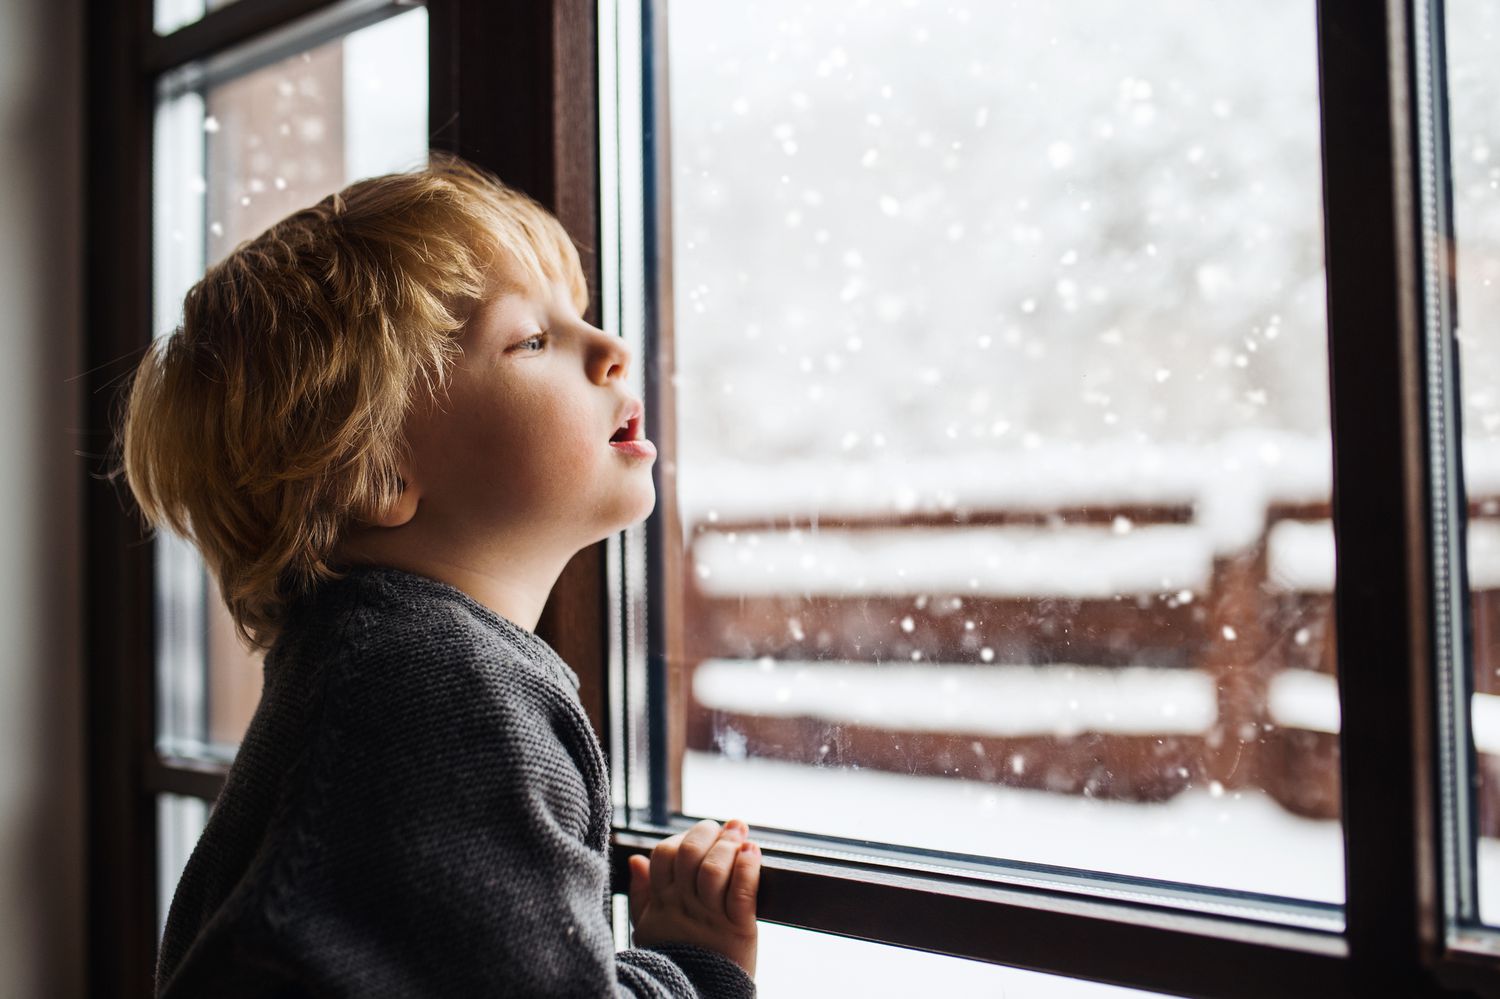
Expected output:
(118, 590)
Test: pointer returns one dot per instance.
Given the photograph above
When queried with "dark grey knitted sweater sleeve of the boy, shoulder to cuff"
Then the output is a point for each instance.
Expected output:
(449, 847)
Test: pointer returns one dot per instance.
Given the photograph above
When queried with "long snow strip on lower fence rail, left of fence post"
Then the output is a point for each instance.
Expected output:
(1001, 701)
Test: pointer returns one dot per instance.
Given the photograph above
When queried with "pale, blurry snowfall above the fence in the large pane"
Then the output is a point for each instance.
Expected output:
(1187, 203)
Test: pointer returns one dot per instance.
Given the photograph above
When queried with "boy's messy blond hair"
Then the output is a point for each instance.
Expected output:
(271, 421)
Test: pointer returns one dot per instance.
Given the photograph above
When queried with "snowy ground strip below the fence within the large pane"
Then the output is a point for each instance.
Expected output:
(1241, 839)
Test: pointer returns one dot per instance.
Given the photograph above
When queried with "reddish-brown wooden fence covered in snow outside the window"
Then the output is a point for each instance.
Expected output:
(1111, 622)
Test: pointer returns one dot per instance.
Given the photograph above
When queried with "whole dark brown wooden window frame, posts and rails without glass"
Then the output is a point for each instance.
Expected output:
(542, 55)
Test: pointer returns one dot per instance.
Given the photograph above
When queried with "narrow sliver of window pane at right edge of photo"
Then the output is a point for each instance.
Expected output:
(1474, 91)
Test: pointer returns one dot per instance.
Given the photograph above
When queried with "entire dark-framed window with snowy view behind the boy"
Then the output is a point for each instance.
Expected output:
(1021, 377)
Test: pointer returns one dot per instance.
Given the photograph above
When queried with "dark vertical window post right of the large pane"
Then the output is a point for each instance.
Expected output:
(1381, 512)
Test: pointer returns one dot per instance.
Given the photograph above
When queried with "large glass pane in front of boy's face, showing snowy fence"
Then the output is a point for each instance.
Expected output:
(1001, 440)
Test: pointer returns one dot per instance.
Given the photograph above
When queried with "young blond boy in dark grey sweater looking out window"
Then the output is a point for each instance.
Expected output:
(388, 428)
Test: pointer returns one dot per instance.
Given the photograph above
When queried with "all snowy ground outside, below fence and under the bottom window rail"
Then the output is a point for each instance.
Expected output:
(1235, 841)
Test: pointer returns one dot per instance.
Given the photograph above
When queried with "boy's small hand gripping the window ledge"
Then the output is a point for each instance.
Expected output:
(700, 887)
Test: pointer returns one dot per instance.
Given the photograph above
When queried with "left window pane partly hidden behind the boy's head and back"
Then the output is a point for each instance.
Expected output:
(230, 161)
